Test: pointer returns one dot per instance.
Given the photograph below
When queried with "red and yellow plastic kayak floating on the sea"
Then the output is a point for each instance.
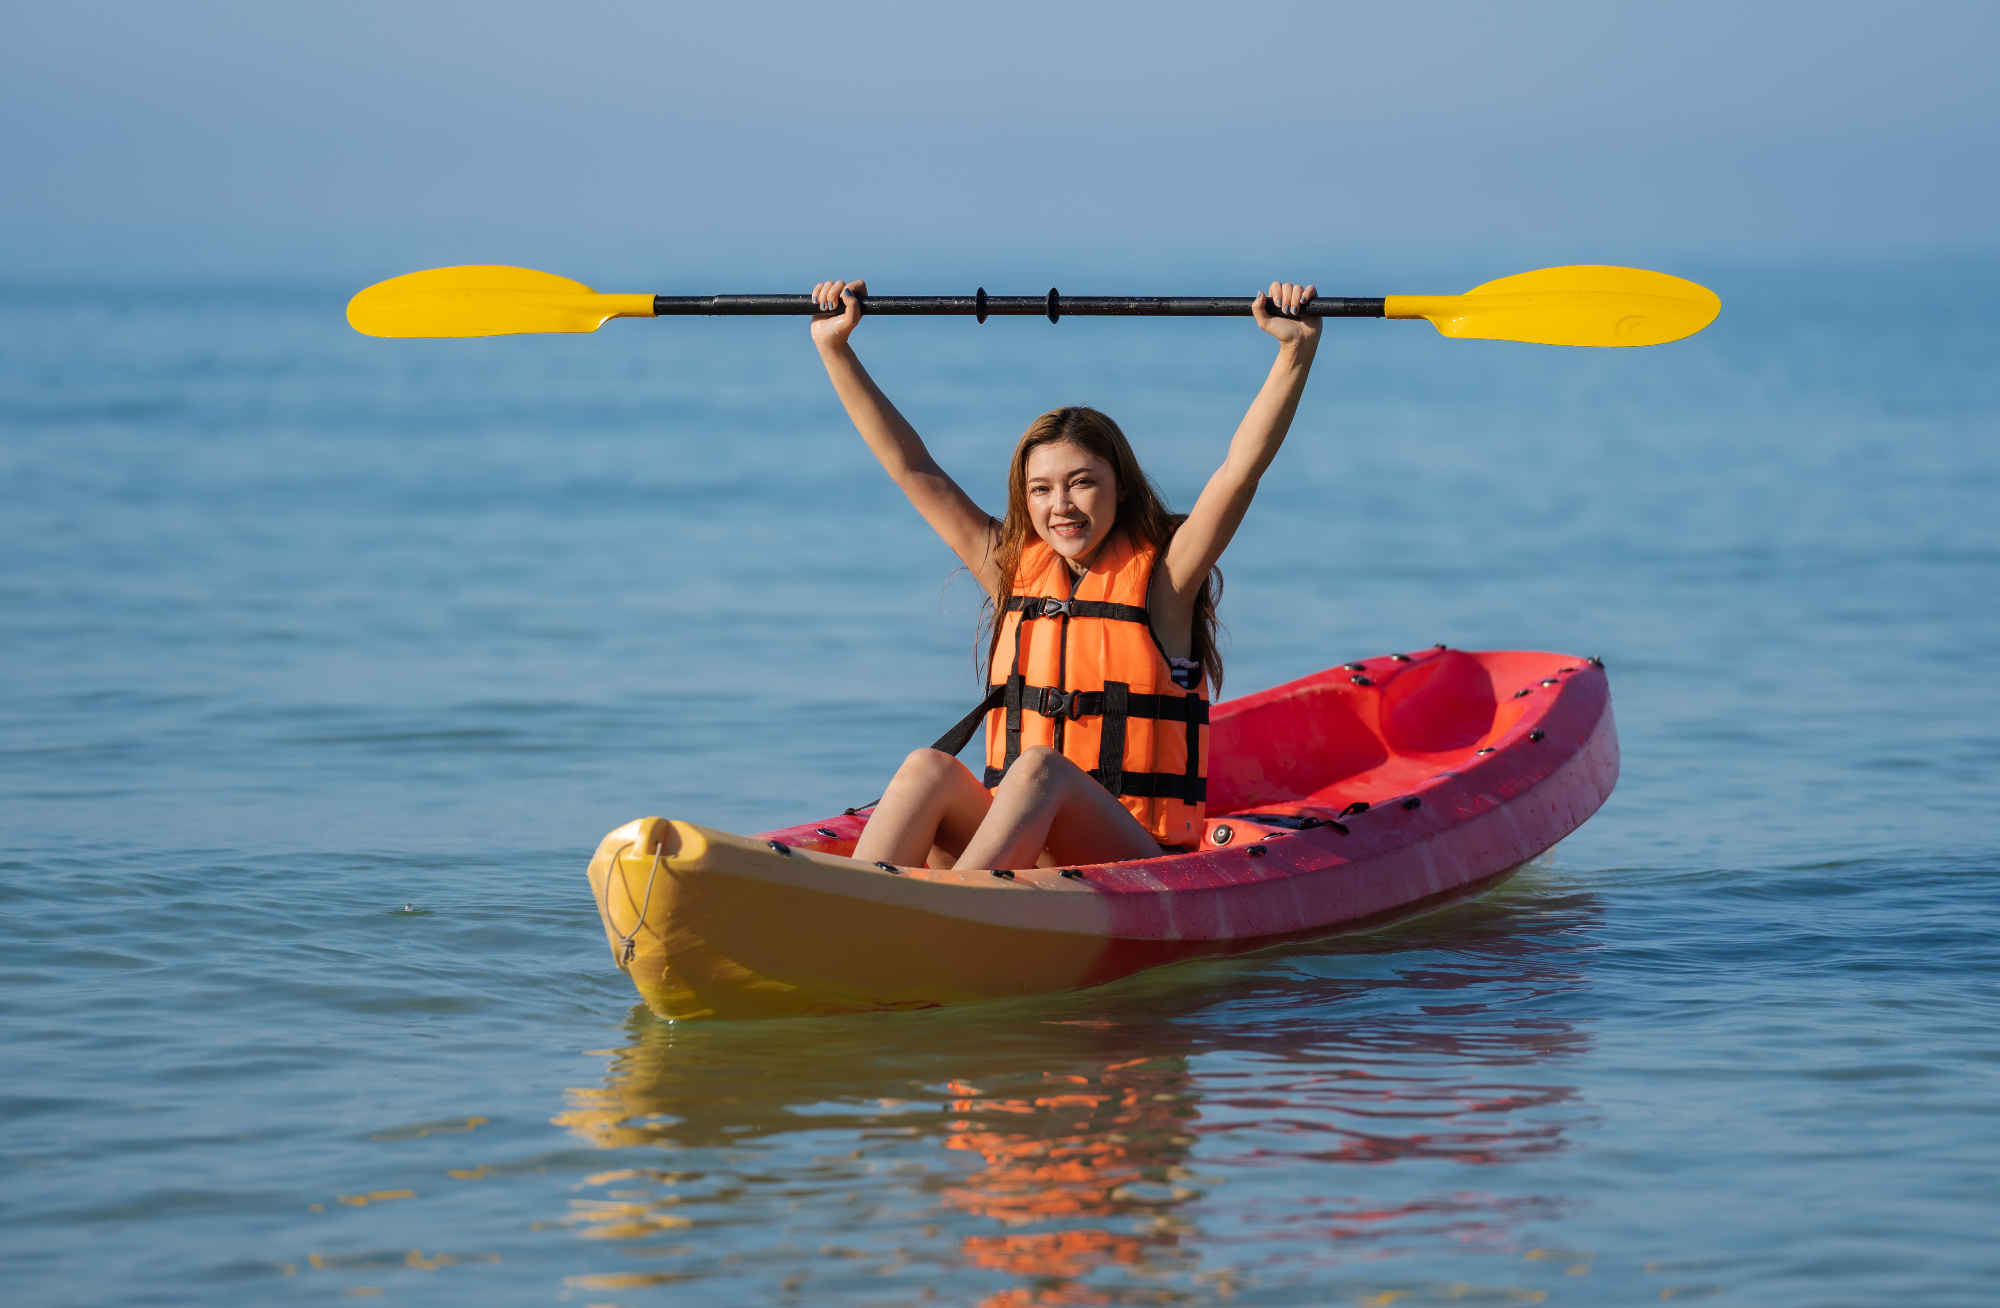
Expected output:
(1337, 803)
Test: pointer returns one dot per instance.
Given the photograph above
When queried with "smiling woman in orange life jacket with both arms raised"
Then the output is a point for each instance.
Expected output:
(1103, 621)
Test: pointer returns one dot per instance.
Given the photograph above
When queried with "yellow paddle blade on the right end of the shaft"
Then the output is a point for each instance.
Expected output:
(1585, 305)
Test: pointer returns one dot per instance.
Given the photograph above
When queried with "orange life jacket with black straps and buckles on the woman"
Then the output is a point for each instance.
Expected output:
(1089, 679)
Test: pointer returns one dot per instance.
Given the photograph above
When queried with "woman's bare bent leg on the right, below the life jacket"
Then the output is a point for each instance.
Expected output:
(1045, 801)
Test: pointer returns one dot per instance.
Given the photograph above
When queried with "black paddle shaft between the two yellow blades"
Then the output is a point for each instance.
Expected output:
(1053, 307)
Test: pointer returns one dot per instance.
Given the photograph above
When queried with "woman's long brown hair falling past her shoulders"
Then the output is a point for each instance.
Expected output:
(1141, 513)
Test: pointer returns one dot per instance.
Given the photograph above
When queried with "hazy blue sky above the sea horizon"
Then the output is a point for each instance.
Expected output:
(769, 141)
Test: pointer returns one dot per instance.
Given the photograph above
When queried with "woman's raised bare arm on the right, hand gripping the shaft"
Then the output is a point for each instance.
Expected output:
(1227, 499)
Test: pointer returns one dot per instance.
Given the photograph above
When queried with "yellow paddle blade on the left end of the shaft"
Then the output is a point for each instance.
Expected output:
(487, 301)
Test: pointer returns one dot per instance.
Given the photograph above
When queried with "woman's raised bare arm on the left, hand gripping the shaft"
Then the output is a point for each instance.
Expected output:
(945, 505)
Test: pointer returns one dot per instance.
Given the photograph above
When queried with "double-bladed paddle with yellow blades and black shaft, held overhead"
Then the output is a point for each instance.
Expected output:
(1583, 305)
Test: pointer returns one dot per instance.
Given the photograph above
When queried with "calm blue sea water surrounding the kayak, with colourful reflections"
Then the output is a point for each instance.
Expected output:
(327, 661)
